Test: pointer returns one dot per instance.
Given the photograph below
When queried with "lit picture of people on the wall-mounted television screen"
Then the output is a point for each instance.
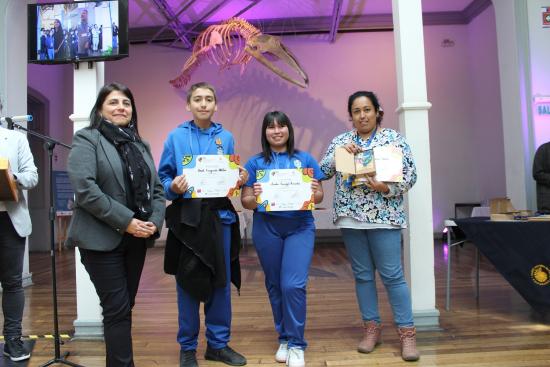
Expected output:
(77, 31)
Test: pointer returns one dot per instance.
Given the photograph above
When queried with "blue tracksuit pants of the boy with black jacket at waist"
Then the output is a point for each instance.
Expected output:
(217, 311)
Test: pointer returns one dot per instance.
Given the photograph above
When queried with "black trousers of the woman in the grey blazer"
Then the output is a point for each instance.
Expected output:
(115, 275)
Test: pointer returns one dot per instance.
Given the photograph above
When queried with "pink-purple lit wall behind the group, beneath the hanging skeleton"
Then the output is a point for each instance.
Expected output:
(319, 111)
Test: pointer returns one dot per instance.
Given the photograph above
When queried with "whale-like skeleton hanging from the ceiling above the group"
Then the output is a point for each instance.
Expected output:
(235, 42)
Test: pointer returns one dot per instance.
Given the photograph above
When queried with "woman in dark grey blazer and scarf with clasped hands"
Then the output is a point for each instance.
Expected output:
(118, 213)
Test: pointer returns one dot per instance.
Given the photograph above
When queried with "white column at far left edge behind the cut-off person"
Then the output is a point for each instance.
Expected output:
(13, 75)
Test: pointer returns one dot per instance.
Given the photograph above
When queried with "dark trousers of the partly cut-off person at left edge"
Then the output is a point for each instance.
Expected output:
(12, 251)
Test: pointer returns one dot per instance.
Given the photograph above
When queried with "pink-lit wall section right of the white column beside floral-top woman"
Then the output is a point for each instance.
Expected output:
(449, 91)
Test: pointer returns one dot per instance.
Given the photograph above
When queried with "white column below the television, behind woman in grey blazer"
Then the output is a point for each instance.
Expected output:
(88, 324)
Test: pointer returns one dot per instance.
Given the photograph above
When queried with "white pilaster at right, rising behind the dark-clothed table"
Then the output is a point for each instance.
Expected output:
(515, 91)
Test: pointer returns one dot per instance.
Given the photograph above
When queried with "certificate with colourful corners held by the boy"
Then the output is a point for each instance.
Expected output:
(211, 176)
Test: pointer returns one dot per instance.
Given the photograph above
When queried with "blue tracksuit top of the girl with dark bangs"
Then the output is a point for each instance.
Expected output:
(281, 161)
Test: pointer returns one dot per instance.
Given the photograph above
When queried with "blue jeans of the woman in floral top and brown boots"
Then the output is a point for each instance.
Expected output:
(378, 249)
